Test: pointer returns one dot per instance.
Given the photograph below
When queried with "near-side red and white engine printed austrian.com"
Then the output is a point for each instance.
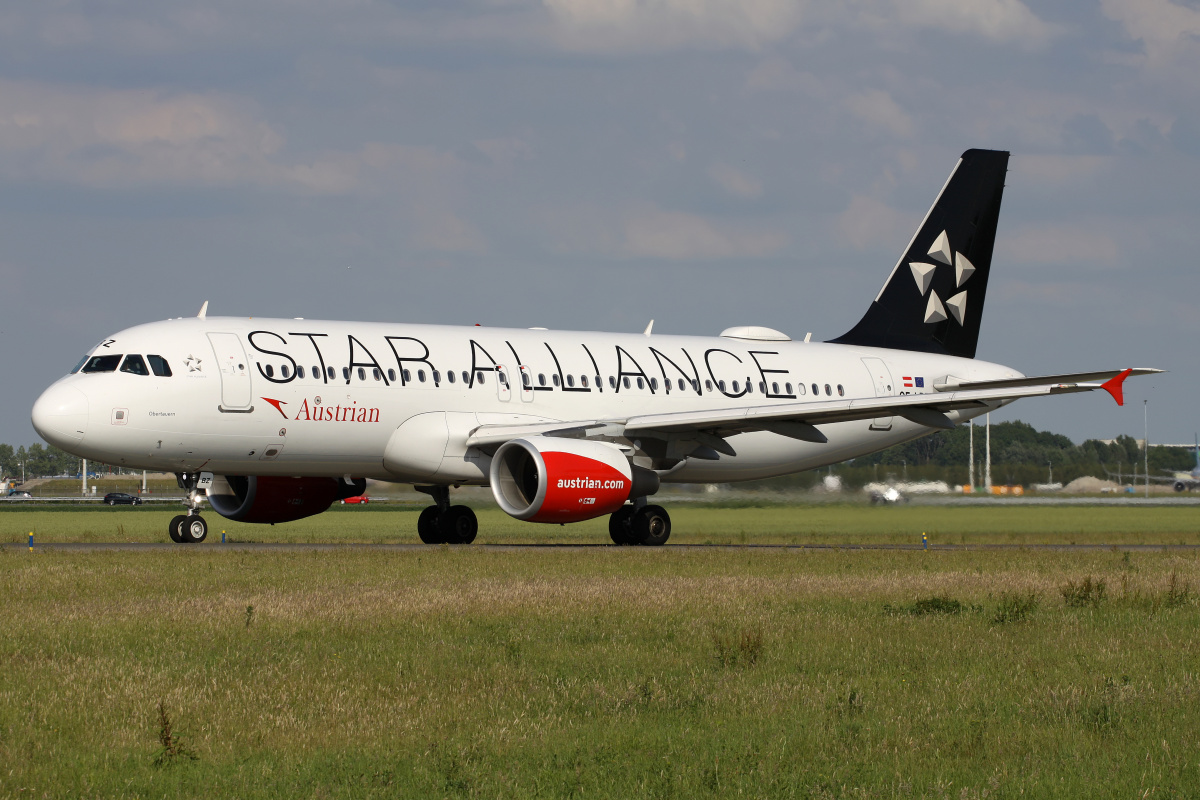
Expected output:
(544, 479)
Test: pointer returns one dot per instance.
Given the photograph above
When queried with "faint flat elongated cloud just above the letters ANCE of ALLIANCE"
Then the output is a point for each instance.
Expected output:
(676, 236)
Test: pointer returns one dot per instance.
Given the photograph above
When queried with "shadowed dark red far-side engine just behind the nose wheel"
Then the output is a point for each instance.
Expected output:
(269, 500)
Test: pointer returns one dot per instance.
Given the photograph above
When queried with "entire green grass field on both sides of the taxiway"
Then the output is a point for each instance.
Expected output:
(465, 672)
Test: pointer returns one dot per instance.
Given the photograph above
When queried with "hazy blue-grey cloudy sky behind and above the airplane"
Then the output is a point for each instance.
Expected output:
(597, 164)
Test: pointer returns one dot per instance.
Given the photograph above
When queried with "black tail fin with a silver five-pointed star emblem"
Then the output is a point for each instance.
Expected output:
(934, 299)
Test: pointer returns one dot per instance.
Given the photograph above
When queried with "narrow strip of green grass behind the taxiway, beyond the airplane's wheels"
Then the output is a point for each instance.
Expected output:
(692, 524)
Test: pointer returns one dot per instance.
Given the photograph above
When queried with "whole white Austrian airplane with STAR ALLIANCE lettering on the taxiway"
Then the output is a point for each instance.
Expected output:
(274, 420)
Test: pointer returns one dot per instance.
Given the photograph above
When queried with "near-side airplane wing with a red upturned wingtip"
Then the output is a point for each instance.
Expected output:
(705, 431)
